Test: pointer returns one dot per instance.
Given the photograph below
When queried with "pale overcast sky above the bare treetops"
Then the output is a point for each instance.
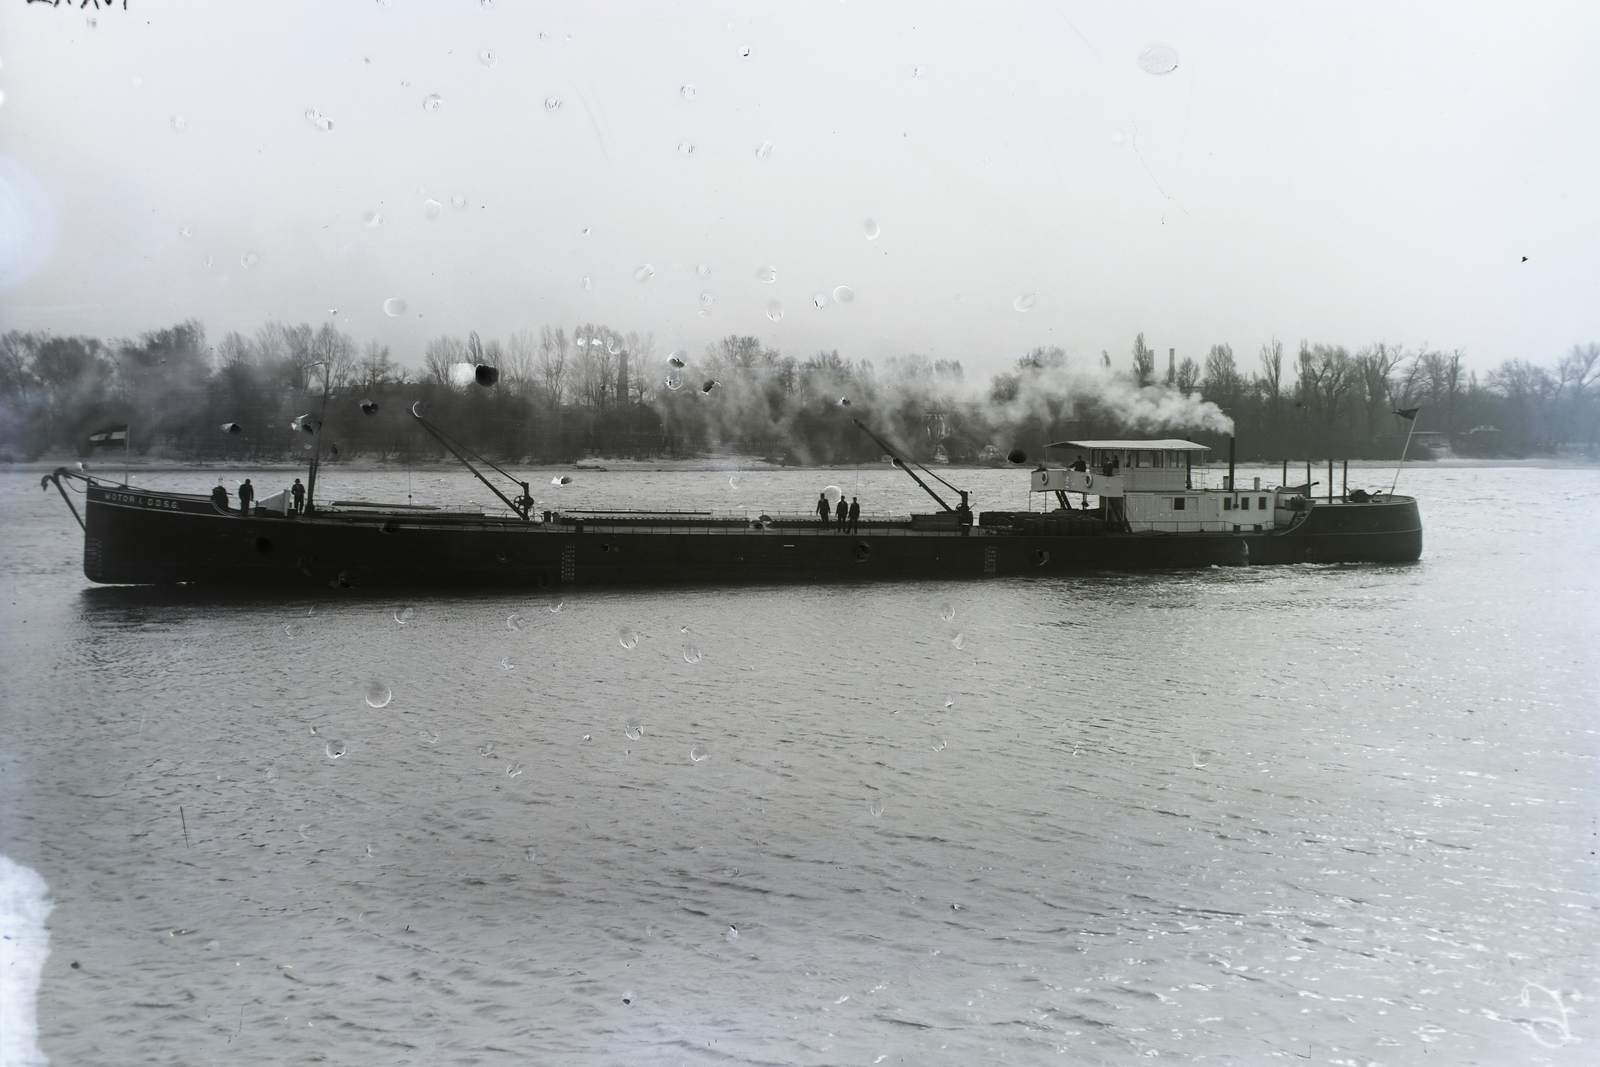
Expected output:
(1345, 174)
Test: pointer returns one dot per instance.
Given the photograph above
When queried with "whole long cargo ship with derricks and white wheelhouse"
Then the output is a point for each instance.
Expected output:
(1116, 505)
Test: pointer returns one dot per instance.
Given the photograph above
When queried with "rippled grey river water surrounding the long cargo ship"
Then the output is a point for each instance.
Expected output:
(1340, 815)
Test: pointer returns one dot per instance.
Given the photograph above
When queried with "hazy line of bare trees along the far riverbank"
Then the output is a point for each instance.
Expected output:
(602, 391)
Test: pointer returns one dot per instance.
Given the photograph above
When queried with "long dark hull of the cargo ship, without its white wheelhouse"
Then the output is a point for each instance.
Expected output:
(135, 537)
